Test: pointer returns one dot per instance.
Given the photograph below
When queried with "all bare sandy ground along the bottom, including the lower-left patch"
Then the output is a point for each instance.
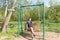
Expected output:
(39, 36)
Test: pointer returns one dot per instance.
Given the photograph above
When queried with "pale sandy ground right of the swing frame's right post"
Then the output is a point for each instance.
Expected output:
(52, 36)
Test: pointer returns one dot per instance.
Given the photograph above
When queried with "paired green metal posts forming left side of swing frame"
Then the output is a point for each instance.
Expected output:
(20, 28)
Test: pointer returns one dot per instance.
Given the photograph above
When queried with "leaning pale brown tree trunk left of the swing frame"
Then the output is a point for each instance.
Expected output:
(7, 18)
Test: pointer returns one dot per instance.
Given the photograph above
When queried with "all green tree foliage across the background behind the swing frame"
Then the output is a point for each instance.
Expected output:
(52, 12)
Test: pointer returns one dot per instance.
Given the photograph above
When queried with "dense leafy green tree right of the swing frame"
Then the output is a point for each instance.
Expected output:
(53, 14)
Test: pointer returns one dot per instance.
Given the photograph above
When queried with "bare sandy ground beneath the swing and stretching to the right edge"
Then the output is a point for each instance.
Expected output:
(39, 36)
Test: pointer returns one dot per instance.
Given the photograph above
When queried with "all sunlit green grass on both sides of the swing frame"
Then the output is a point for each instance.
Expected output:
(12, 29)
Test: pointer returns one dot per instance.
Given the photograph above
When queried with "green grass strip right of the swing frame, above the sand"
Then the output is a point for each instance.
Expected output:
(53, 27)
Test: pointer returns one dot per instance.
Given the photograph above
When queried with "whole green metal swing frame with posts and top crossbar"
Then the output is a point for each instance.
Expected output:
(20, 16)
